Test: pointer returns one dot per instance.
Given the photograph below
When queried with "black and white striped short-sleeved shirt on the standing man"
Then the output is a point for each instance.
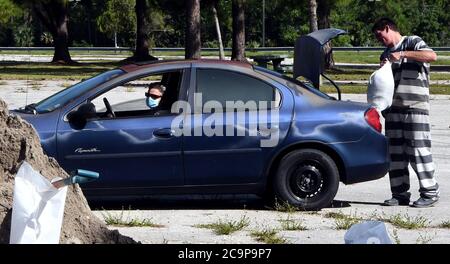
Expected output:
(411, 77)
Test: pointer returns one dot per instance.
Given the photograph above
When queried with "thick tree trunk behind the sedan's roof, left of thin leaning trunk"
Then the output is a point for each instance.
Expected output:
(193, 40)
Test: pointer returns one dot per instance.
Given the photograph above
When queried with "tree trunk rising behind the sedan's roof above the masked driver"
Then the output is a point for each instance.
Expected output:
(142, 32)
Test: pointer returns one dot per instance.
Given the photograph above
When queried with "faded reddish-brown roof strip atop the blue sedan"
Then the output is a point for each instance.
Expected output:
(149, 64)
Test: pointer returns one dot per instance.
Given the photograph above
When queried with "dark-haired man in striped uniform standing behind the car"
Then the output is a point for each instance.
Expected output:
(407, 120)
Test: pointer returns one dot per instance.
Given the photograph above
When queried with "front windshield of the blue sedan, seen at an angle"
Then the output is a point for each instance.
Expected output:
(63, 97)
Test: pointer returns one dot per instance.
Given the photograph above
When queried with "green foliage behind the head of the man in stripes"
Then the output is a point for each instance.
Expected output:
(426, 18)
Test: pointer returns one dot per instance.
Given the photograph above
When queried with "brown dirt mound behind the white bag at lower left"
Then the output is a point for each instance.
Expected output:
(19, 142)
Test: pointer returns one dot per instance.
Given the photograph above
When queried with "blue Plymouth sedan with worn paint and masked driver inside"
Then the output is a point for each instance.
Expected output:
(220, 127)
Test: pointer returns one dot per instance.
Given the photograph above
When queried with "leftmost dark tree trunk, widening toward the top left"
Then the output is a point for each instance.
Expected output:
(53, 15)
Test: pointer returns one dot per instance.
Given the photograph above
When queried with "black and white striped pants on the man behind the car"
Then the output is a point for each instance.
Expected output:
(410, 143)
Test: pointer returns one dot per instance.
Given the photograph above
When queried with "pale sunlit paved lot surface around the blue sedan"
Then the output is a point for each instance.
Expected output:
(179, 220)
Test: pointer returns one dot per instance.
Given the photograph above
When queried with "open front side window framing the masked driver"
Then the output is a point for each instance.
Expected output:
(151, 95)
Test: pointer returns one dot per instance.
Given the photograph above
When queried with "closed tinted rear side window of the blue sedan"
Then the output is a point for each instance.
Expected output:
(228, 87)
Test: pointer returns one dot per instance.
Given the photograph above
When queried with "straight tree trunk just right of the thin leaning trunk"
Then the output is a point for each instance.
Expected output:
(238, 52)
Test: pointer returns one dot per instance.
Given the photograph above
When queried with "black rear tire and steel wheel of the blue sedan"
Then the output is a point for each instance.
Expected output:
(307, 178)
